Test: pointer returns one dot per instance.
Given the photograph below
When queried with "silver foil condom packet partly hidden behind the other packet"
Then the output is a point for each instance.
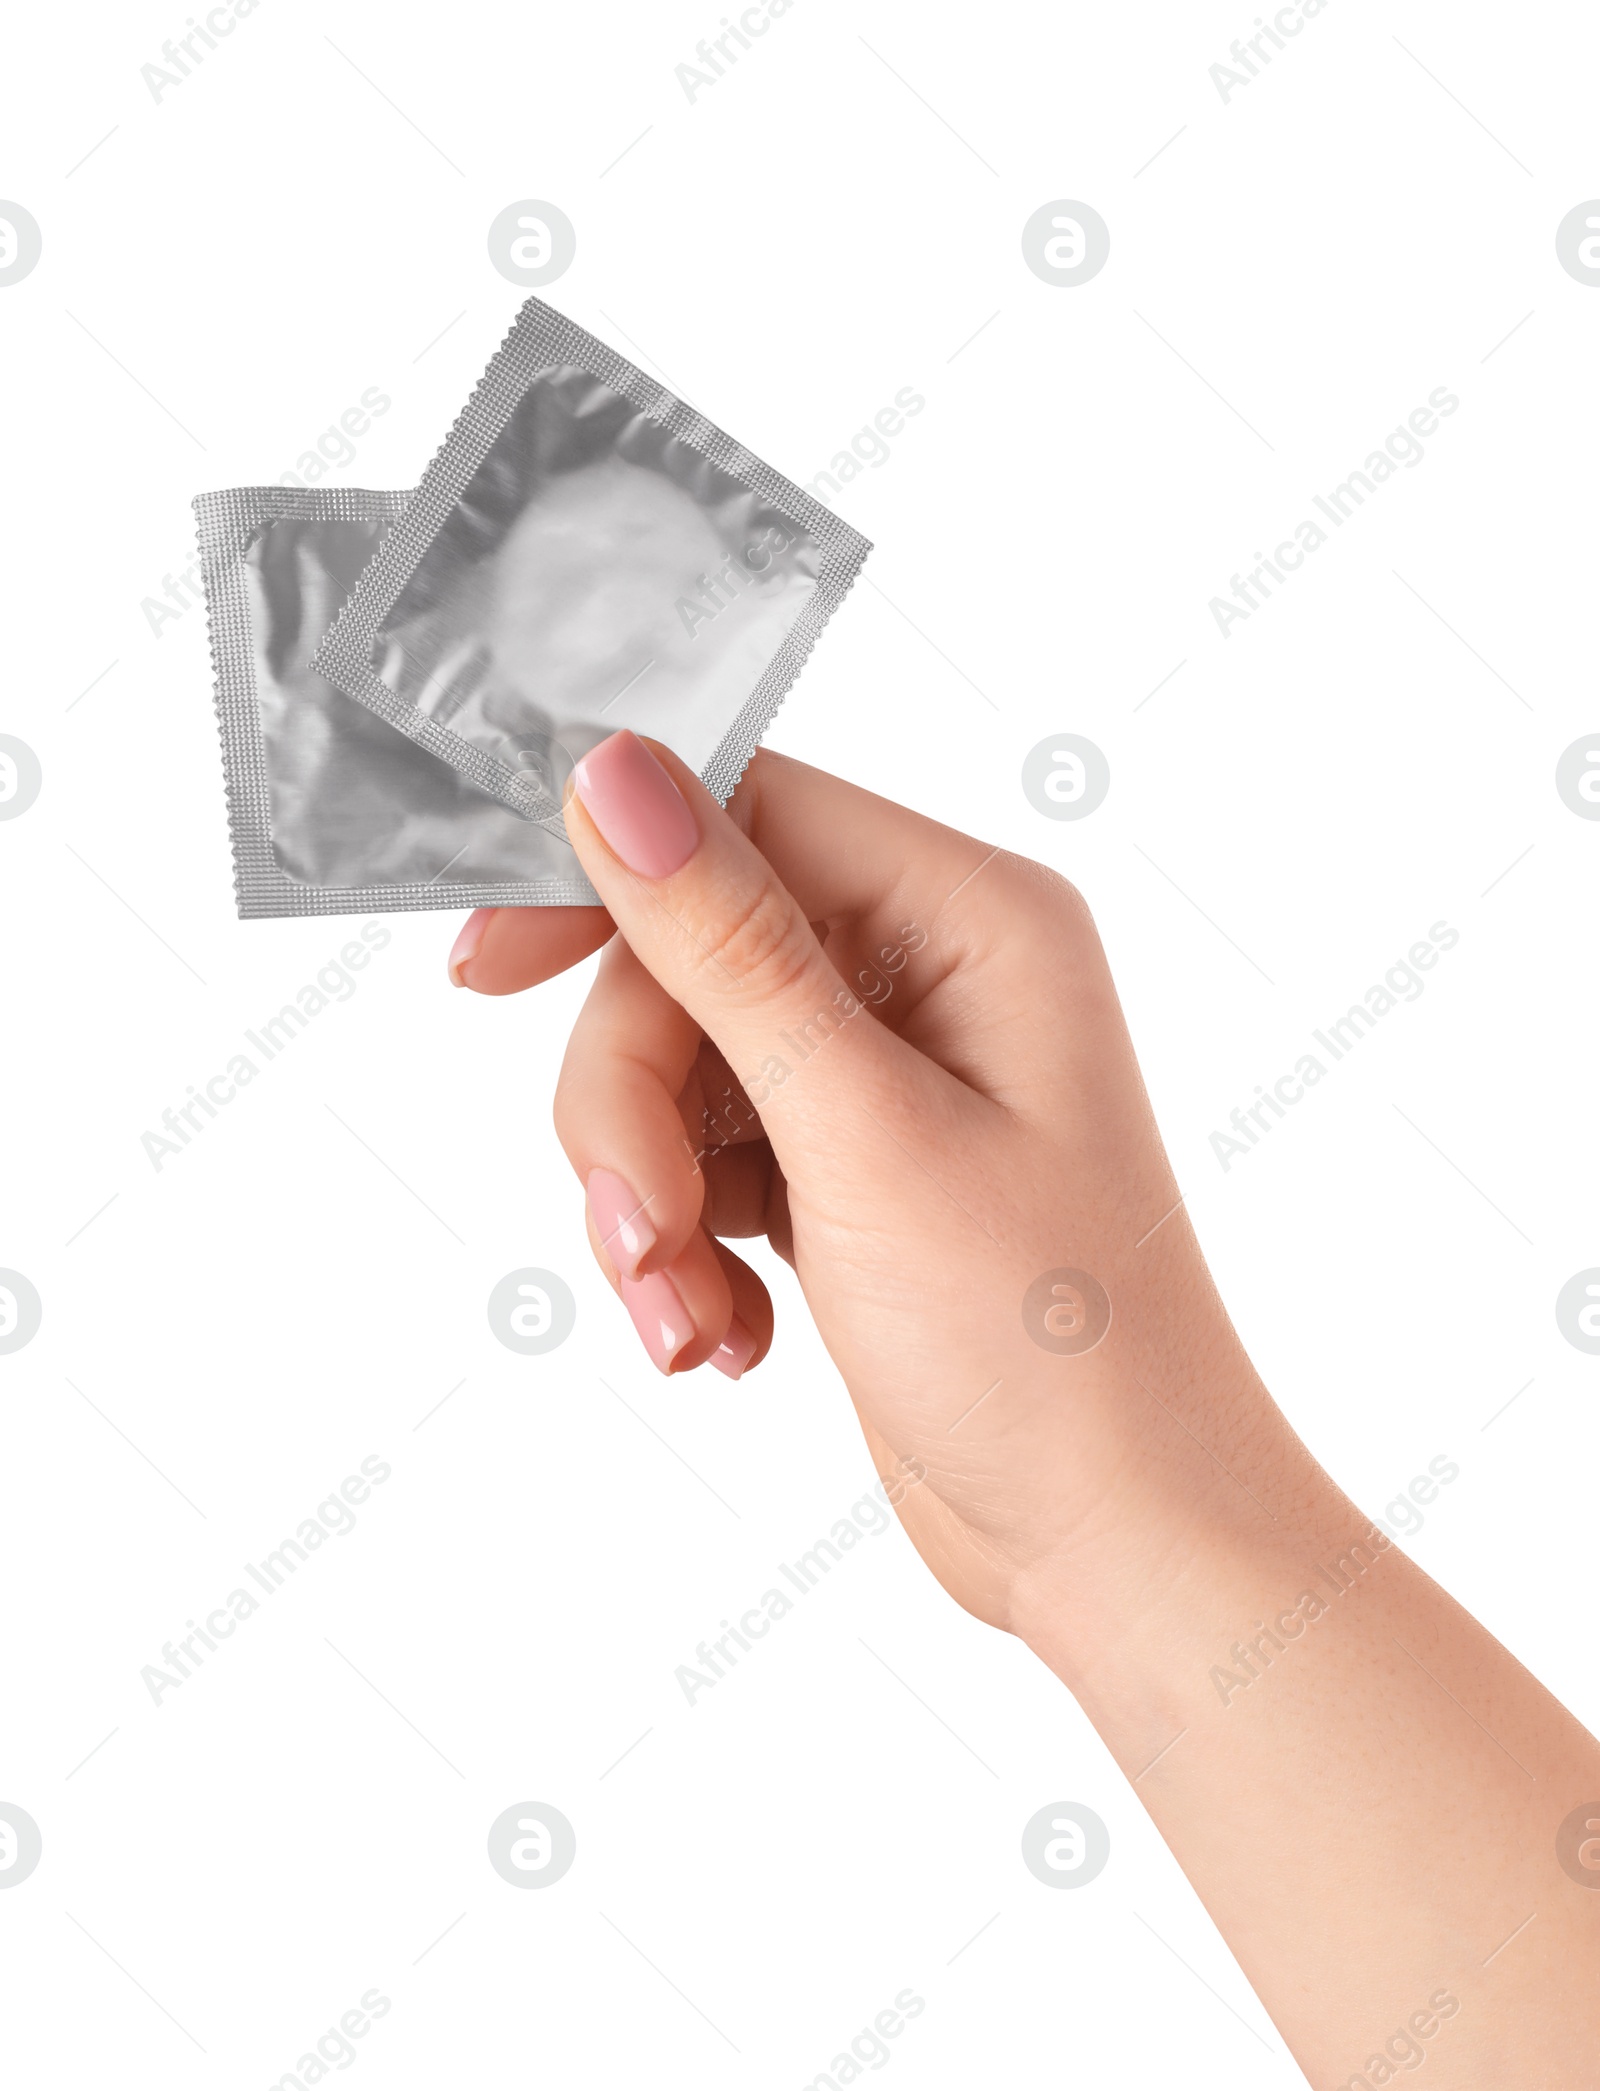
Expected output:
(334, 812)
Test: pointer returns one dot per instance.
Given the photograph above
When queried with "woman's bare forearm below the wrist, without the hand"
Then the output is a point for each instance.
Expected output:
(1363, 1785)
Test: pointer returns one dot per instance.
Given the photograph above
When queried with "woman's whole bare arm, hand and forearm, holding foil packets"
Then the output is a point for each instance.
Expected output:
(1371, 1810)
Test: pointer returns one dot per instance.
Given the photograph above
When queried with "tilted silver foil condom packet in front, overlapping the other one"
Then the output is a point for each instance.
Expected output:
(587, 553)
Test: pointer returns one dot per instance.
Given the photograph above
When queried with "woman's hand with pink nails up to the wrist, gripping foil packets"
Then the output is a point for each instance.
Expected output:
(898, 1055)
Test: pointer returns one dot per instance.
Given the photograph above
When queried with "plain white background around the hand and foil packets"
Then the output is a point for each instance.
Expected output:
(1298, 804)
